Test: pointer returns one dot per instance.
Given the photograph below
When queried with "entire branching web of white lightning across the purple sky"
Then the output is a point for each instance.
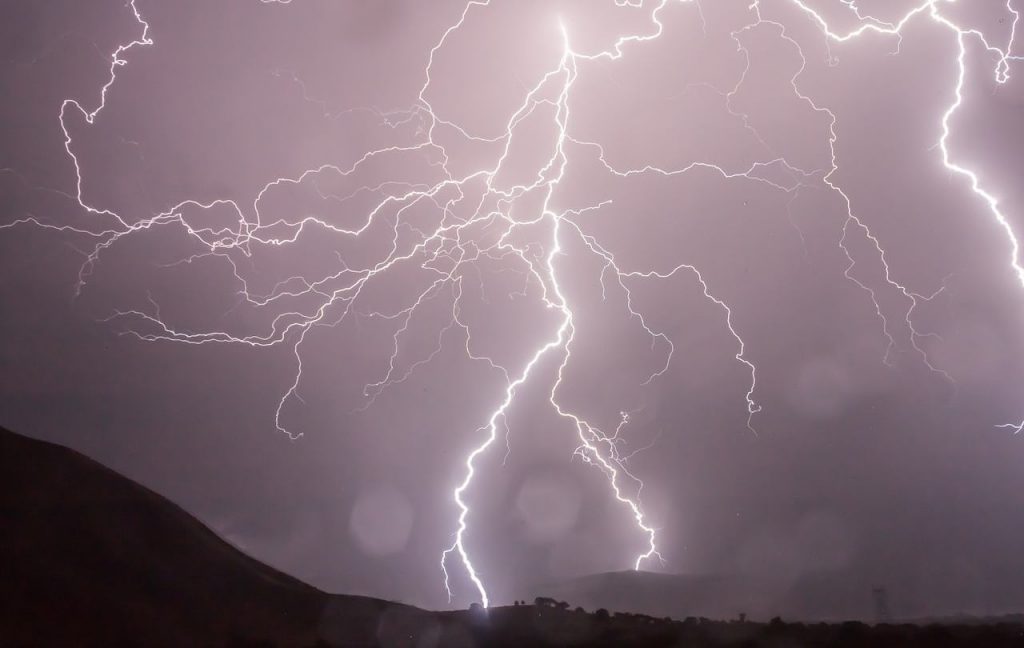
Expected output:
(450, 249)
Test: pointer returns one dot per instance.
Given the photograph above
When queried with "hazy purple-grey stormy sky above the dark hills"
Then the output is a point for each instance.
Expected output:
(301, 271)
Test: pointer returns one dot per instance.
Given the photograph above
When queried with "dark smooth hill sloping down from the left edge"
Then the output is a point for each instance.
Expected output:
(89, 557)
